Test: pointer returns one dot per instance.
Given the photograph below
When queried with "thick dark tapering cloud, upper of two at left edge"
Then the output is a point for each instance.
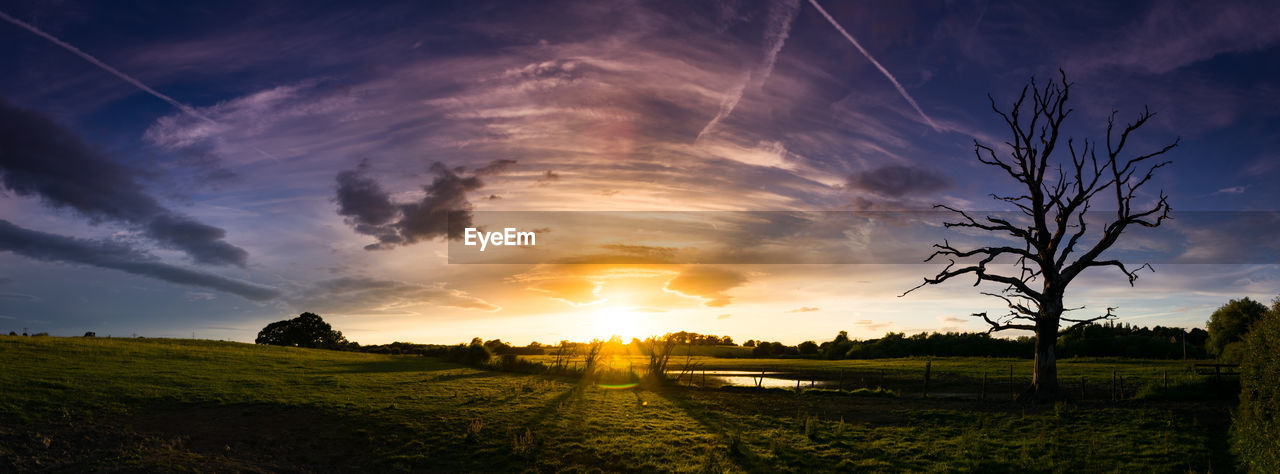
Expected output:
(42, 158)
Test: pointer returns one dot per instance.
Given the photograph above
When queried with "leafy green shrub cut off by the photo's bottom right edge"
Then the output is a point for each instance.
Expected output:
(1256, 432)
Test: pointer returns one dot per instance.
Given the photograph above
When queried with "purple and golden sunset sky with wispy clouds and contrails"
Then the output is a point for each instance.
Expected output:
(202, 170)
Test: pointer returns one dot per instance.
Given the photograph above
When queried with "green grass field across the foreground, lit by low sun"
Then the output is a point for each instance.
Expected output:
(94, 404)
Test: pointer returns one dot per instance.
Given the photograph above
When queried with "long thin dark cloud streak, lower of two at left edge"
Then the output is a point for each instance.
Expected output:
(118, 257)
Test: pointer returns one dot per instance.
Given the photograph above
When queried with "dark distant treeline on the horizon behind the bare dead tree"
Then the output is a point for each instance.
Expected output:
(1108, 340)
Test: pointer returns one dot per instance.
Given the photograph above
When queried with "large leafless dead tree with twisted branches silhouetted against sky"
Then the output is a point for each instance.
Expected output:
(1053, 208)
